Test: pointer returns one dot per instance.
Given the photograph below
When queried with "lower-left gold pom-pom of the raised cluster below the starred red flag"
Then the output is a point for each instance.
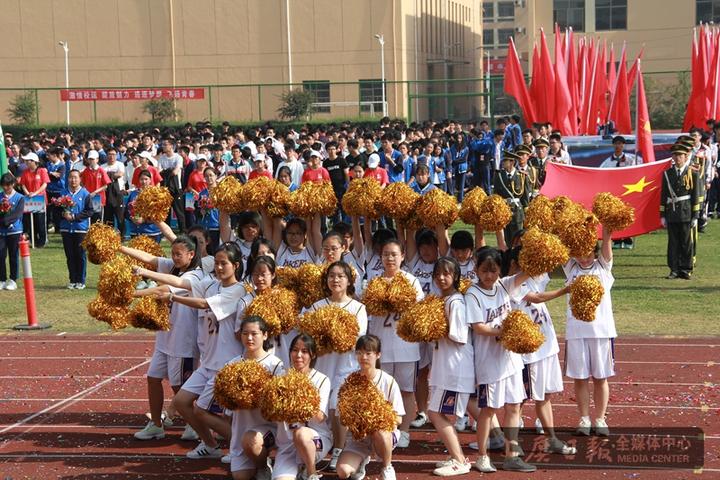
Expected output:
(541, 252)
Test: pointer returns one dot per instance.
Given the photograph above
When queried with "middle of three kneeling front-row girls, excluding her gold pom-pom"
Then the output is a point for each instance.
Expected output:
(308, 443)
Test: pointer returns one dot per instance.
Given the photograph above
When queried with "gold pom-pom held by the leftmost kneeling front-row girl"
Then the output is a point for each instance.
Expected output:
(239, 385)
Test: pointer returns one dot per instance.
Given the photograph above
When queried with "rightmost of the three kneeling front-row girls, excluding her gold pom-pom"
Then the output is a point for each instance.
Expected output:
(356, 454)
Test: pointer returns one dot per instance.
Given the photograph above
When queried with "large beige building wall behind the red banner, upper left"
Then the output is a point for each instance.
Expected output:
(130, 43)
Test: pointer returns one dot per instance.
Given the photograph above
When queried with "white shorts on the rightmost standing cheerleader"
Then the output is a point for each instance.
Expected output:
(589, 357)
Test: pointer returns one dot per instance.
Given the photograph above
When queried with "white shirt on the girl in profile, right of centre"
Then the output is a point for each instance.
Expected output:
(453, 356)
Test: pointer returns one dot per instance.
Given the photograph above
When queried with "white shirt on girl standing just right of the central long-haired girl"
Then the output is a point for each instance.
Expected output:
(395, 349)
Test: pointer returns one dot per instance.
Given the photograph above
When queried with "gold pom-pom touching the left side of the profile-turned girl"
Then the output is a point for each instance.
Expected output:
(424, 321)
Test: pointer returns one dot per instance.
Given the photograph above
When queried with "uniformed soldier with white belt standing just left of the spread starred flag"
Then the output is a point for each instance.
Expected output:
(514, 188)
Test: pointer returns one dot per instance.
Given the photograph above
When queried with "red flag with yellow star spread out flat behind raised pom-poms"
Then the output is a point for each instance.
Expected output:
(638, 186)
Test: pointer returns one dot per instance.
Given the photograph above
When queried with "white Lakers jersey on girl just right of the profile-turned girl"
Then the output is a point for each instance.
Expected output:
(492, 361)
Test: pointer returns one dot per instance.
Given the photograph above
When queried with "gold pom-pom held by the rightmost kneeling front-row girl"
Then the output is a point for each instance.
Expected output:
(363, 409)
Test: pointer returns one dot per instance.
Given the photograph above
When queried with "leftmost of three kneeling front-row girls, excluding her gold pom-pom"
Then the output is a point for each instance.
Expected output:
(252, 437)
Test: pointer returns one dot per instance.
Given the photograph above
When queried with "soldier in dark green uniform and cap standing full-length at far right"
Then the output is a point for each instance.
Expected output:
(679, 211)
